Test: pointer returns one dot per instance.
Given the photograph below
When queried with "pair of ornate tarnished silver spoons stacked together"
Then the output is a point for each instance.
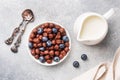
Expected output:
(28, 17)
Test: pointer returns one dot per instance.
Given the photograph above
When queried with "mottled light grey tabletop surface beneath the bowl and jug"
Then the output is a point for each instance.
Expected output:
(21, 67)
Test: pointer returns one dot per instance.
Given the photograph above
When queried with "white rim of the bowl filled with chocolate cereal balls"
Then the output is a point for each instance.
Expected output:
(53, 63)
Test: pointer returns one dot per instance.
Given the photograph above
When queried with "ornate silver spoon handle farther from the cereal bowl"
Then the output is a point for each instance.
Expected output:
(14, 34)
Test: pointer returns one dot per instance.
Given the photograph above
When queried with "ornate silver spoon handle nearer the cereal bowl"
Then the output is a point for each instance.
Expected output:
(18, 41)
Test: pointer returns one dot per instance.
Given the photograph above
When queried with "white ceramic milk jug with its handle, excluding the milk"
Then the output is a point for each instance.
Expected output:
(79, 24)
